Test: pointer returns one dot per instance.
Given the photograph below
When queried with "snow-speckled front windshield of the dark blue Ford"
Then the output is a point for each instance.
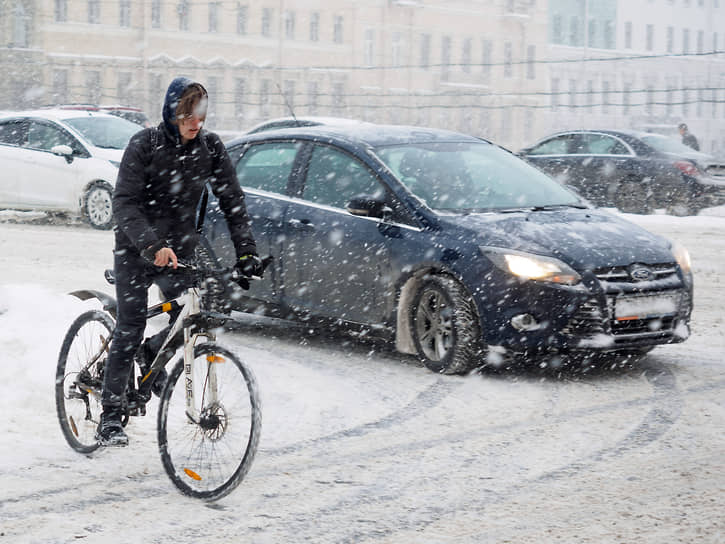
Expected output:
(455, 176)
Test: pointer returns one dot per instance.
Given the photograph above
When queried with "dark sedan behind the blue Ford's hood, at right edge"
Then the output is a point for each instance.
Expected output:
(634, 171)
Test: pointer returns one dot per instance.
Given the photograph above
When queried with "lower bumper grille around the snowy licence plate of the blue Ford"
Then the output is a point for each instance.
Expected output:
(591, 321)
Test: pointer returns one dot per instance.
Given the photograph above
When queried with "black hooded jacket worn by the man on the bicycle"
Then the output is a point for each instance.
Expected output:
(160, 183)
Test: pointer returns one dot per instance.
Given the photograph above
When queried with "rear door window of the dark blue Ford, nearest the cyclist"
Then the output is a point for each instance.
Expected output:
(267, 166)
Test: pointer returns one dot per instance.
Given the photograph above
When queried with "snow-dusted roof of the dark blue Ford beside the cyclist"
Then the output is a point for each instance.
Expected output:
(361, 133)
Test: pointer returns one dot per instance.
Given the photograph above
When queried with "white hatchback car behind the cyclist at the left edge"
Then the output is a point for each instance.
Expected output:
(62, 160)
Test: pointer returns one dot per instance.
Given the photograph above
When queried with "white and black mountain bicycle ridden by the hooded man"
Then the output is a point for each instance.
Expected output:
(209, 417)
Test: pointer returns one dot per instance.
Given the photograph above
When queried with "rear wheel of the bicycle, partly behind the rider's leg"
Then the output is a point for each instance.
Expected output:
(79, 406)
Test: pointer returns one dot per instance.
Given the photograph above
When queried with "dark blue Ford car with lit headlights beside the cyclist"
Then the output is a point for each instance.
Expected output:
(448, 245)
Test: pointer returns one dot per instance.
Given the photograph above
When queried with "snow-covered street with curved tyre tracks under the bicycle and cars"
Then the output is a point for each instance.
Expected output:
(361, 444)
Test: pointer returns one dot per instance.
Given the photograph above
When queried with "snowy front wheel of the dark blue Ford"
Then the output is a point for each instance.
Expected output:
(444, 326)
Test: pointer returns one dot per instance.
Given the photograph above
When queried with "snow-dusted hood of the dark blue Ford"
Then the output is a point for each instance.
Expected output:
(584, 239)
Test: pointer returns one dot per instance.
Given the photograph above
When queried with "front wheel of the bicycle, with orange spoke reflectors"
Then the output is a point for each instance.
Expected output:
(209, 423)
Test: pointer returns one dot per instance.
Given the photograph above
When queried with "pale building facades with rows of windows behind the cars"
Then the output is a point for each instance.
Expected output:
(507, 70)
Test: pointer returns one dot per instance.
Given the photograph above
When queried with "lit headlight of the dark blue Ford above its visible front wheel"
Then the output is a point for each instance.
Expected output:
(529, 266)
